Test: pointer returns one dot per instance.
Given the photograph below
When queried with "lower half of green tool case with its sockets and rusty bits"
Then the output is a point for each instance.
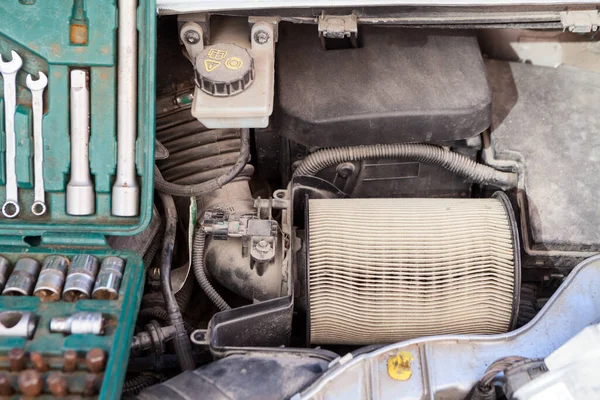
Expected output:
(66, 321)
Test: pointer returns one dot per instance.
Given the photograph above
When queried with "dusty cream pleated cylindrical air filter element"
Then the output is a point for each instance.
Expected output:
(387, 270)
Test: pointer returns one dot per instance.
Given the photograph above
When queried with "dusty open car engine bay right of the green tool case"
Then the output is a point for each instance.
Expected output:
(347, 198)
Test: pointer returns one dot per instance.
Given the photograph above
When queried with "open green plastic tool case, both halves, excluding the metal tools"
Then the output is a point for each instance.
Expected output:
(56, 38)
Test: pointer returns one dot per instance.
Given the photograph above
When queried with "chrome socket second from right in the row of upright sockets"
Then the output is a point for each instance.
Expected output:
(81, 277)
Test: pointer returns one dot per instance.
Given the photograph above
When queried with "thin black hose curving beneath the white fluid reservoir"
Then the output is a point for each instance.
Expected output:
(201, 189)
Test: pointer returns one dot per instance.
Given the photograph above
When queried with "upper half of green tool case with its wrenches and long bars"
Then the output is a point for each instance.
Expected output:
(76, 114)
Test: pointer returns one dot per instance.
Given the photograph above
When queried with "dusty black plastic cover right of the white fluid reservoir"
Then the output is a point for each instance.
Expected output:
(400, 85)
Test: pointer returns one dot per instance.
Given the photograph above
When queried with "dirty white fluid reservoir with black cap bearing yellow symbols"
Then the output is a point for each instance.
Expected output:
(234, 83)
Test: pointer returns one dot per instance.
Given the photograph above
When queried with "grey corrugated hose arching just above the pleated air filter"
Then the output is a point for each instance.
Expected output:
(424, 153)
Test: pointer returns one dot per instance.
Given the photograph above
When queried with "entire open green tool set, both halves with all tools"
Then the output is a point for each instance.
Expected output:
(77, 98)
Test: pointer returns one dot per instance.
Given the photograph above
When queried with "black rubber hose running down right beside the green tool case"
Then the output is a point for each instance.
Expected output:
(181, 341)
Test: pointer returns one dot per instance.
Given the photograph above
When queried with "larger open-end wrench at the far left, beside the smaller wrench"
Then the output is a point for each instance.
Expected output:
(11, 208)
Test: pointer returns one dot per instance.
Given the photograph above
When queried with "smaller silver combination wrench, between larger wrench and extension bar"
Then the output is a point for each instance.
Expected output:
(37, 92)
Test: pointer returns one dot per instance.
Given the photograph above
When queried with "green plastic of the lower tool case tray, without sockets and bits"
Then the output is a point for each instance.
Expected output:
(119, 315)
